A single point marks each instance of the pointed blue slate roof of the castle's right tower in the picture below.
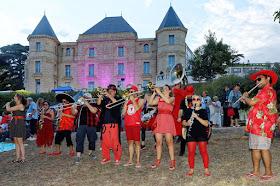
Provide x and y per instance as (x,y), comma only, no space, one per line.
(171,20)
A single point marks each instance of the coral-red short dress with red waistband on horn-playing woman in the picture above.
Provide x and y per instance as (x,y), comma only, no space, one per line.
(165,119)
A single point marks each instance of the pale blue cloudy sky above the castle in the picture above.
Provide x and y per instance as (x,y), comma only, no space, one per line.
(246,25)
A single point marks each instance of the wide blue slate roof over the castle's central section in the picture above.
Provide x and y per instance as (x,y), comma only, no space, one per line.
(111,25)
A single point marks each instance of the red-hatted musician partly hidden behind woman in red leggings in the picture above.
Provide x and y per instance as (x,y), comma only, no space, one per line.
(184,105)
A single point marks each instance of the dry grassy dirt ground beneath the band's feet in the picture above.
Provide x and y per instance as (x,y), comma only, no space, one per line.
(228,151)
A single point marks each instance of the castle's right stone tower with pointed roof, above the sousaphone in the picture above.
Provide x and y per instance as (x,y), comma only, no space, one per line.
(171,45)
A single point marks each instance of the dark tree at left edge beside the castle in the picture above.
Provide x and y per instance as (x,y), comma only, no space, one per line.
(12,58)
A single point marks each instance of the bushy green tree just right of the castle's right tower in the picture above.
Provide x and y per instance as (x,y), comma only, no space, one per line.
(212,58)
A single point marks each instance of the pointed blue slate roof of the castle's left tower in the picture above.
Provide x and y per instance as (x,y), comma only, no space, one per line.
(44,28)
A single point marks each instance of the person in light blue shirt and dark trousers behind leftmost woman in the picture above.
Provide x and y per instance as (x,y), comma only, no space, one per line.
(32,117)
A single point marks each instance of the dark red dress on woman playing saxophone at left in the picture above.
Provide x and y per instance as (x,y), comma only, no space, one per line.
(45,136)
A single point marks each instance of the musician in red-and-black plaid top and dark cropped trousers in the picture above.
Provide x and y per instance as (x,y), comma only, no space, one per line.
(86,124)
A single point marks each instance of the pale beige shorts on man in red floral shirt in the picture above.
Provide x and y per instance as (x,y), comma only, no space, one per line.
(259,142)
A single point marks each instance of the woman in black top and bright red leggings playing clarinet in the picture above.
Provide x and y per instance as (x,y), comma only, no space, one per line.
(197,119)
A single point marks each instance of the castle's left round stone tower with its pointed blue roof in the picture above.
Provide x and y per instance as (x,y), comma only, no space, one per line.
(41,65)
